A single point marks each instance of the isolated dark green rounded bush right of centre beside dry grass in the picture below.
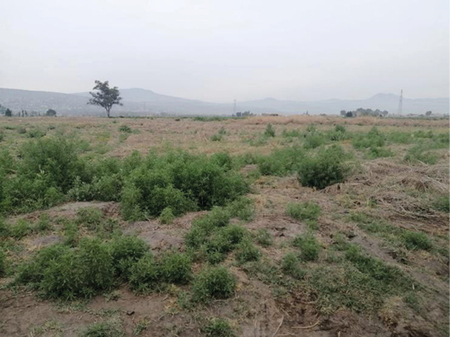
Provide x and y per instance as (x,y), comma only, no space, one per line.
(323,169)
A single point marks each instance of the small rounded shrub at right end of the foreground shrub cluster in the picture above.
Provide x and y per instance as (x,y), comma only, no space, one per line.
(214,282)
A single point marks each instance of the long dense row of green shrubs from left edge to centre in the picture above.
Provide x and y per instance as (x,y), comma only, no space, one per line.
(51,170)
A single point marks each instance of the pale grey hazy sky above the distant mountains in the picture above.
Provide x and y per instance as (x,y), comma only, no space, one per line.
(221,50)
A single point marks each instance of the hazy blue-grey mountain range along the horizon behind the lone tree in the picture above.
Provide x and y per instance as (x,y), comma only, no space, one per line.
(146,102)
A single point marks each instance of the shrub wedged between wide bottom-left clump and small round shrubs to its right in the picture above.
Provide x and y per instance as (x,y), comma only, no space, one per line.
(125,251)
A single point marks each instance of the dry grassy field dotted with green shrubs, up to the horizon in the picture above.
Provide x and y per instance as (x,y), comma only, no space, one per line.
(263,226)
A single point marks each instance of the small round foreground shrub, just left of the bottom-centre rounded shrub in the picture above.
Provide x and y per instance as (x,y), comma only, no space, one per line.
(175,268)
